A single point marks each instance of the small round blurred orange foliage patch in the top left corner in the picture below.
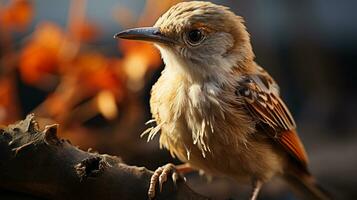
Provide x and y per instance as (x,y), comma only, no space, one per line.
(17,14)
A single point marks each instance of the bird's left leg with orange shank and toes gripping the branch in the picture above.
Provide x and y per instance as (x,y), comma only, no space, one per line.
(160,175)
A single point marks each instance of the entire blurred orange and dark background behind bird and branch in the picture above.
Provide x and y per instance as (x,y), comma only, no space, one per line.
(59,60)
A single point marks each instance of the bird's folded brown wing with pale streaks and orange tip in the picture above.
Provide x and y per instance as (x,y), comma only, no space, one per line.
(262,100)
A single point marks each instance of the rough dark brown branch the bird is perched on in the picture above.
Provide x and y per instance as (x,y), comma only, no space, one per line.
(35,163)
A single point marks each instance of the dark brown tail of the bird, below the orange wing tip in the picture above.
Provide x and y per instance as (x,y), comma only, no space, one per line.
(305,185)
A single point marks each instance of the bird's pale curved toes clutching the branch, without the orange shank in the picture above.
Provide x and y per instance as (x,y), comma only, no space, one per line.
(160,175)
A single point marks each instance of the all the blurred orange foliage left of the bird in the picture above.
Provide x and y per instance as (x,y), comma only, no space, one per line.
(87,82)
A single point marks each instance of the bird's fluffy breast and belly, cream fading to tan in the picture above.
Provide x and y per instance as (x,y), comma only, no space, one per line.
(206,126)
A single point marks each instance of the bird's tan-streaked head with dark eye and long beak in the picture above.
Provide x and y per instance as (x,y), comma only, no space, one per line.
(202,39)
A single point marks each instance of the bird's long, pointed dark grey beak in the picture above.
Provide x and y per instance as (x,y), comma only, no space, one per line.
(151,34)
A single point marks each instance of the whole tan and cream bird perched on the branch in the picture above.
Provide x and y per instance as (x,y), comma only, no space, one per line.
(215,108)
